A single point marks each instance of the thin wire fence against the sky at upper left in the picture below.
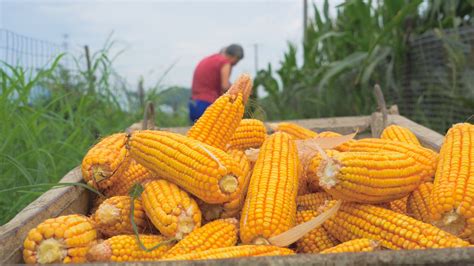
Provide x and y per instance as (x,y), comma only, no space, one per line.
(26,52)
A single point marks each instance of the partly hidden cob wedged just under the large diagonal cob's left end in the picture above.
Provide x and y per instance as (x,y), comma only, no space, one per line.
(134,173)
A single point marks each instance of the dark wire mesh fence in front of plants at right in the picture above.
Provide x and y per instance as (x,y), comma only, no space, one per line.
(438,81)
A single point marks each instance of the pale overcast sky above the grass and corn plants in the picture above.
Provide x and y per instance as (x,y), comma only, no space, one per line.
(157,34)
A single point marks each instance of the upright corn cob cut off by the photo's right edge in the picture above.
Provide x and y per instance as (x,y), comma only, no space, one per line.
(452,197)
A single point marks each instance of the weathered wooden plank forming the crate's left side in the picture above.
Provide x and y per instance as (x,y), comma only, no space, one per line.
(53,203)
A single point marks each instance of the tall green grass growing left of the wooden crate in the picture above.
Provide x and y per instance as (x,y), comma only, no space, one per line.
(44,138)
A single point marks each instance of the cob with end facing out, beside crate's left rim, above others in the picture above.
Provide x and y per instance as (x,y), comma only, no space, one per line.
(104,162)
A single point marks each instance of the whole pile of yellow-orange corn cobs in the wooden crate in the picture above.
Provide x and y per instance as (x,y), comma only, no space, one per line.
(203,198)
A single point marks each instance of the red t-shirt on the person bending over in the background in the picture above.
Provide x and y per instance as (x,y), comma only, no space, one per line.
(207,78)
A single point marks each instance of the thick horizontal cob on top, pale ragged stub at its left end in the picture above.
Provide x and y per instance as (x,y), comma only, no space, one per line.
(369,177)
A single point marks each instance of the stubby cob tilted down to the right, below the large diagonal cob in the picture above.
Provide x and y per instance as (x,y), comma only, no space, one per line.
(173,212)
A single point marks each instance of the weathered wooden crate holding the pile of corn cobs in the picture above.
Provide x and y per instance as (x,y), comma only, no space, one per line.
(69,200)
